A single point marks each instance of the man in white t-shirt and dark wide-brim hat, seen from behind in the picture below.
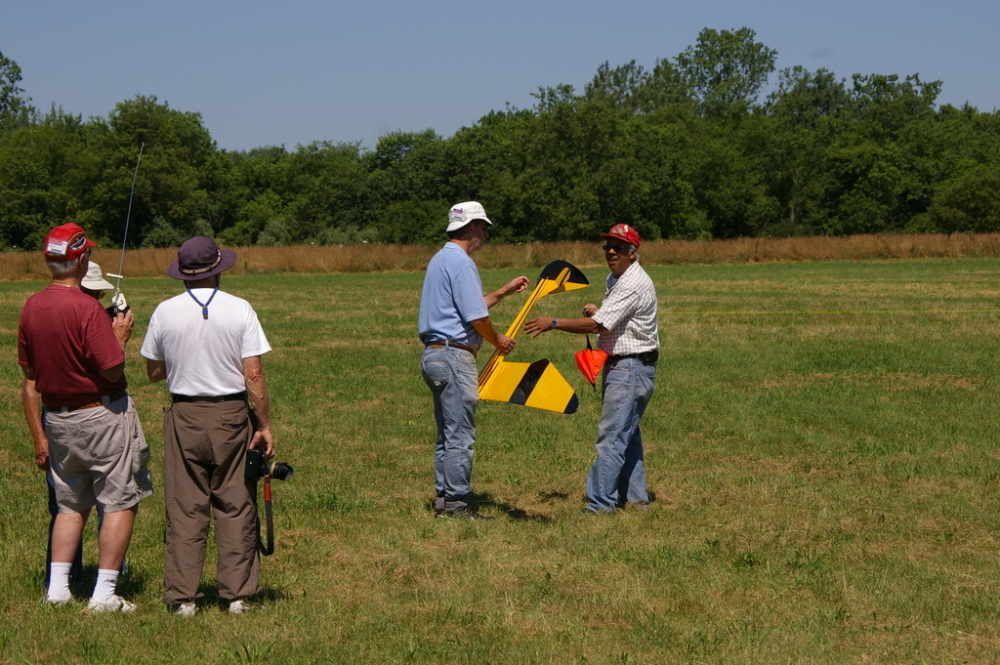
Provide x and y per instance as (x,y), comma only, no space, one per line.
(208,344)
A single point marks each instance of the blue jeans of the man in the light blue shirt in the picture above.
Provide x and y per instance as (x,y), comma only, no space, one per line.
(451,375)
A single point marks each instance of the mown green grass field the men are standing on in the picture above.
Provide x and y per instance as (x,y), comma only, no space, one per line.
(822,447)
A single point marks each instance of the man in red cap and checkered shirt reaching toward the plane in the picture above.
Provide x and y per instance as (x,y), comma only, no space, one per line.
(627,331)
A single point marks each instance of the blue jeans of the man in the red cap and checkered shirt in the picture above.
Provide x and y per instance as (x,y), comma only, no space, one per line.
(618,475)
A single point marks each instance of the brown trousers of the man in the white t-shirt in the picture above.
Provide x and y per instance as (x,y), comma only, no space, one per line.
(204,455)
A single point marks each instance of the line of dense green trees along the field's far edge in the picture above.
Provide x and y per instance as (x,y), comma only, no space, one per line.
(691,148)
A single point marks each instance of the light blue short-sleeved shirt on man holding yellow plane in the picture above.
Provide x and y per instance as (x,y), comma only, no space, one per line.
(452,297)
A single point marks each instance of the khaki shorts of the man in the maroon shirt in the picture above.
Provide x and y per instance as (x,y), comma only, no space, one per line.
(99,457)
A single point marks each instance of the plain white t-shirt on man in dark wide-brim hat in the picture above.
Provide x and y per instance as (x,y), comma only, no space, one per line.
(204,357)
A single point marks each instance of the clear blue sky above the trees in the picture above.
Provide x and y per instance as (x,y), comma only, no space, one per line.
(288,73)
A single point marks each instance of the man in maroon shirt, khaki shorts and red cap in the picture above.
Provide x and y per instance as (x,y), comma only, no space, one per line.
(88,434)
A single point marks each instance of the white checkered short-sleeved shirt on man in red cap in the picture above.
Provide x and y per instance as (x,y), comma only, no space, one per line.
(628,313)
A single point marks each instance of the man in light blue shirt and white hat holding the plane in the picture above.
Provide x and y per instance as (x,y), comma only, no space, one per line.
(454,320)
